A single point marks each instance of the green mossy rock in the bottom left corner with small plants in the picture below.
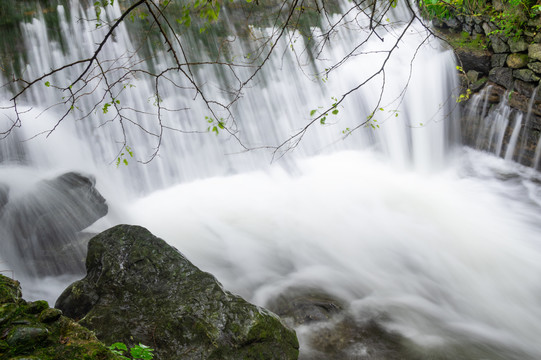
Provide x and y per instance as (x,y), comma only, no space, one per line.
(32,330)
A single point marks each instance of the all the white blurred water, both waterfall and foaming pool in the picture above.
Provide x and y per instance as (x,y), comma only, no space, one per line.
(444,243)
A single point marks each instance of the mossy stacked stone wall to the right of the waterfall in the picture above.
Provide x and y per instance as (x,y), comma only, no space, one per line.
(507,66)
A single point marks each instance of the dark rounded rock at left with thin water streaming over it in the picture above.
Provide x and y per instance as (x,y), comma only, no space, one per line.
(40,228)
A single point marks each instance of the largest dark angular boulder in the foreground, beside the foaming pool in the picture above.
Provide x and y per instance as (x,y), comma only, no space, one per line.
(140,289)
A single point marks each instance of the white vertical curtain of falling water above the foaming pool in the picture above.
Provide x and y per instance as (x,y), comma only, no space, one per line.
(275,107)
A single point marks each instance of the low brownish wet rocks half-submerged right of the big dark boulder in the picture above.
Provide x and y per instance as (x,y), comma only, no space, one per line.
(332,333)
